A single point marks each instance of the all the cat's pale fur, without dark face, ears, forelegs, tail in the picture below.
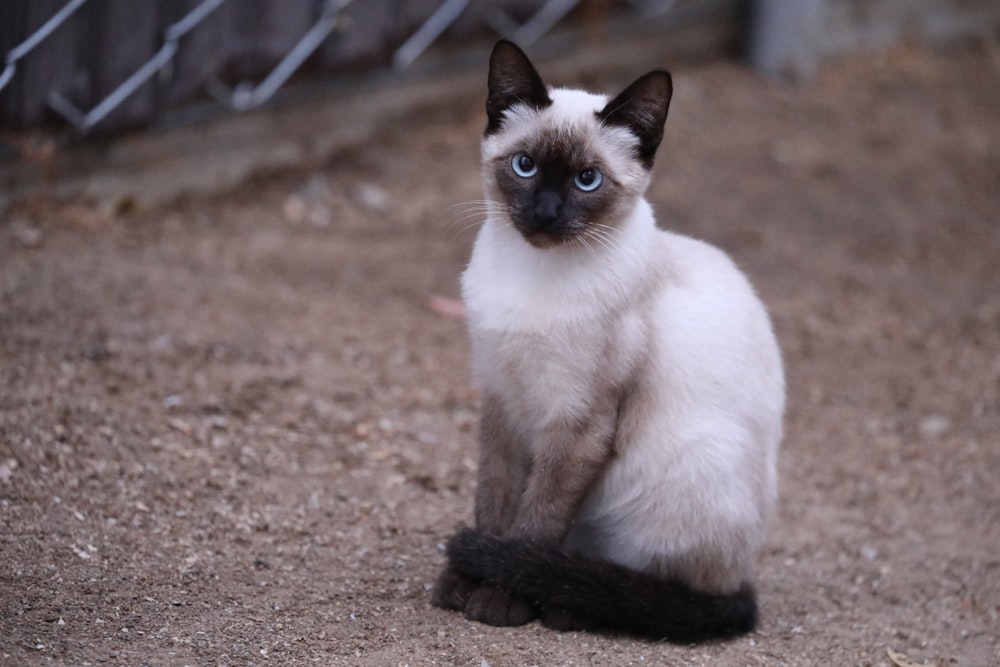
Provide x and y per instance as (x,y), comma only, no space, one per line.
(696,481)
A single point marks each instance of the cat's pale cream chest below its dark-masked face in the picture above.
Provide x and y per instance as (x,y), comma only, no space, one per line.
(551,332)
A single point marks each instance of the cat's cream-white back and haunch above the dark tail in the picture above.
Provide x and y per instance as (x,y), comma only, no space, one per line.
(700,479)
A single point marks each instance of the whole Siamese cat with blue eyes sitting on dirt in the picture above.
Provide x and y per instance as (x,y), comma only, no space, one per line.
(632,388)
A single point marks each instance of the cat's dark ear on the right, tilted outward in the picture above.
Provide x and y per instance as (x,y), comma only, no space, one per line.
(642,108)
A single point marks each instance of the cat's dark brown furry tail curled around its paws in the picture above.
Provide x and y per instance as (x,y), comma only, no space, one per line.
(589,594)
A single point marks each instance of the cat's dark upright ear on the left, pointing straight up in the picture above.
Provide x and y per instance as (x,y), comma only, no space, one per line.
(513,80)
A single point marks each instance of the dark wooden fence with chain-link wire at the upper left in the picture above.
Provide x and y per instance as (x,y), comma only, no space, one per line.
(109,64)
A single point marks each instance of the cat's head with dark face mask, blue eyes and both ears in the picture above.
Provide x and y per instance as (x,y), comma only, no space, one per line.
(564,163)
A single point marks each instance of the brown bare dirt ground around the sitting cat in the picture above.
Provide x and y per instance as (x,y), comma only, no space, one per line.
(235,431)
